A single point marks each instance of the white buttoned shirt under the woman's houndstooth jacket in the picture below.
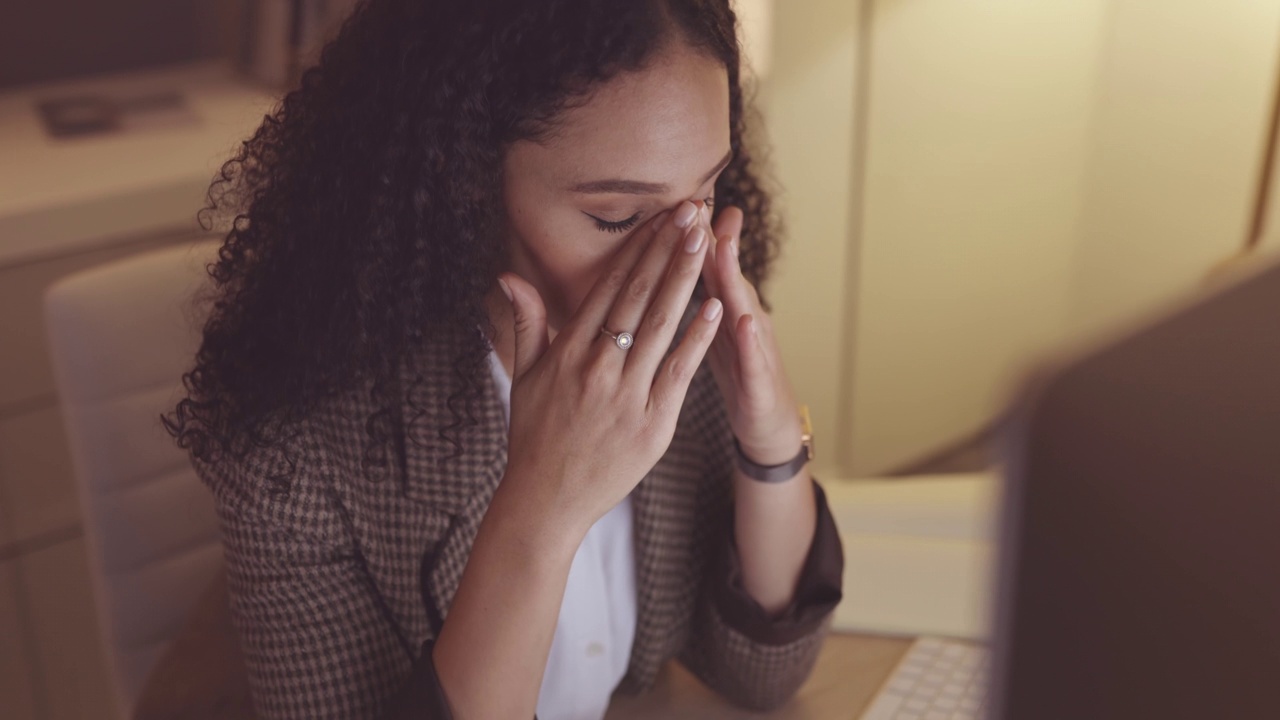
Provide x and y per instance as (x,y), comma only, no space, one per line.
(597,625)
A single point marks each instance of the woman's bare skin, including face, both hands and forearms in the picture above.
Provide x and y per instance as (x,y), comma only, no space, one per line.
(588,420)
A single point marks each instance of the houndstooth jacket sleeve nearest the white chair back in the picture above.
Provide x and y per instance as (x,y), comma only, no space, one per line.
(317,640)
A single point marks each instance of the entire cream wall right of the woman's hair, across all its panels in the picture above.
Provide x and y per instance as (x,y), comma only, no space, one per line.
(1023,174)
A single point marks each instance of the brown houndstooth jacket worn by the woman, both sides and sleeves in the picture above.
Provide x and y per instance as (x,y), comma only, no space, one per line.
(341,582)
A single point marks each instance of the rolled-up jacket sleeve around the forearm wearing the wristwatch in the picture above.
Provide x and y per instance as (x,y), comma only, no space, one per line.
(742,653)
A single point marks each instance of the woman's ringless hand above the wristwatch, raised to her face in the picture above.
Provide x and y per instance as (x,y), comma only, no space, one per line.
(746,359)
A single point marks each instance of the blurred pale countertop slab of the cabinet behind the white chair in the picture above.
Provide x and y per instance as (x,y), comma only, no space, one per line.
(66,197)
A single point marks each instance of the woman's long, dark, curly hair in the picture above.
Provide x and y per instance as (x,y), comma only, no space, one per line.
(363,209)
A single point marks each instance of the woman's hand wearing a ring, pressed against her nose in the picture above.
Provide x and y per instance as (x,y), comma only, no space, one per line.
(589,420)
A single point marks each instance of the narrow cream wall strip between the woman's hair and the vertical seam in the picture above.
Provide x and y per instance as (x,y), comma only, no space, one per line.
(808,102)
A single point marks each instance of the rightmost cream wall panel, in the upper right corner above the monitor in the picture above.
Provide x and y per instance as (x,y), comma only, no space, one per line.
(1182,112)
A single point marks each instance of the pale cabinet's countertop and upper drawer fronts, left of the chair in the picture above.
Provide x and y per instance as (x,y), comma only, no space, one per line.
(72,204)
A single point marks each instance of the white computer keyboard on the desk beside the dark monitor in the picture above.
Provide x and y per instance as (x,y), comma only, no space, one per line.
(938,680)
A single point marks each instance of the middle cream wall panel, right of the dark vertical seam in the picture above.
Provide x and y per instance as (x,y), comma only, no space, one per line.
(979,119)
